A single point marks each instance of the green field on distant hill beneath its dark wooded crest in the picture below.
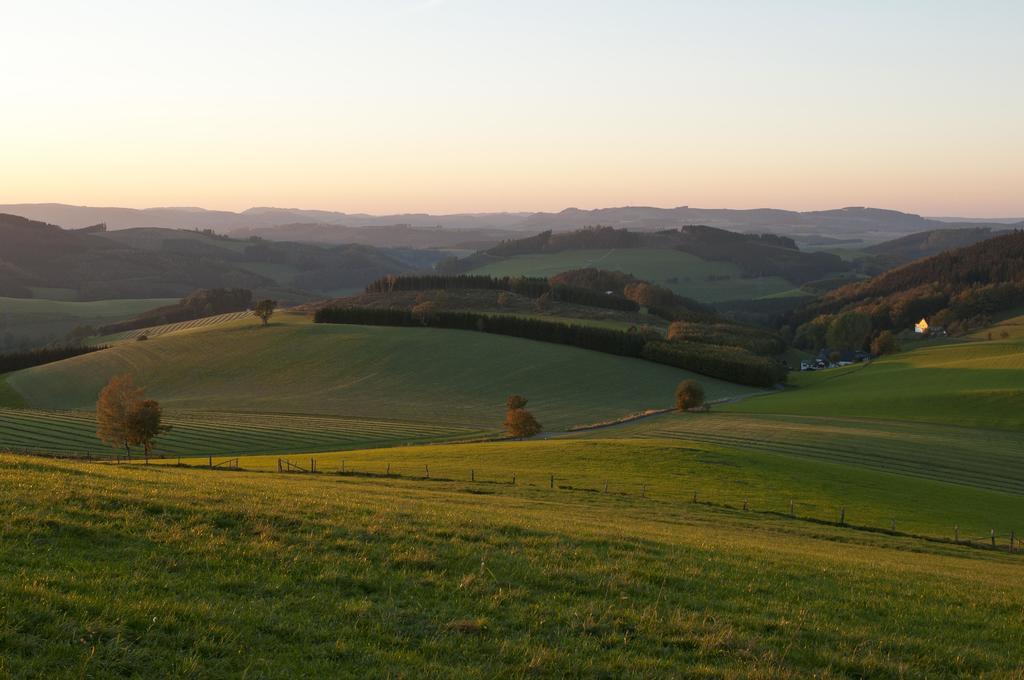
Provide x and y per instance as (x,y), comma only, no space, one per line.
(653,265)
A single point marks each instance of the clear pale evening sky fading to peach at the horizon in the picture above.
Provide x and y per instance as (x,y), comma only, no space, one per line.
(474,106)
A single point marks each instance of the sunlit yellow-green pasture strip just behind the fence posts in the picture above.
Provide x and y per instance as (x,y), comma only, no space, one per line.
(670,470)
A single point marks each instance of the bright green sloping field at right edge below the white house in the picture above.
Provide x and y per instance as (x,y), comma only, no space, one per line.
(974,385)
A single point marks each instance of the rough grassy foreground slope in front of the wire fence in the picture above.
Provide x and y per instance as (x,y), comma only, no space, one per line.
(158,571)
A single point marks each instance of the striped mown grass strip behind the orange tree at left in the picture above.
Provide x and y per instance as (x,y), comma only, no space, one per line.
(219,434)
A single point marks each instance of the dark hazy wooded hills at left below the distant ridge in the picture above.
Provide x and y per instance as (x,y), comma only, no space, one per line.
(96,265)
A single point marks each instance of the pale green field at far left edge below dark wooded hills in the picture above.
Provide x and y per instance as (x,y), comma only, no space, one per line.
(44,321)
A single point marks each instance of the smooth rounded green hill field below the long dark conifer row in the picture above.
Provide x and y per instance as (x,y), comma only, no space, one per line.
(421,375)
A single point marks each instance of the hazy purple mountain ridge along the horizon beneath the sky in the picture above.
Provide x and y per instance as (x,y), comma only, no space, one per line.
(873,224)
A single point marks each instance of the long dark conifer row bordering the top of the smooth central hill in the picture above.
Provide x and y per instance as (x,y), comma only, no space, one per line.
(733,364)
